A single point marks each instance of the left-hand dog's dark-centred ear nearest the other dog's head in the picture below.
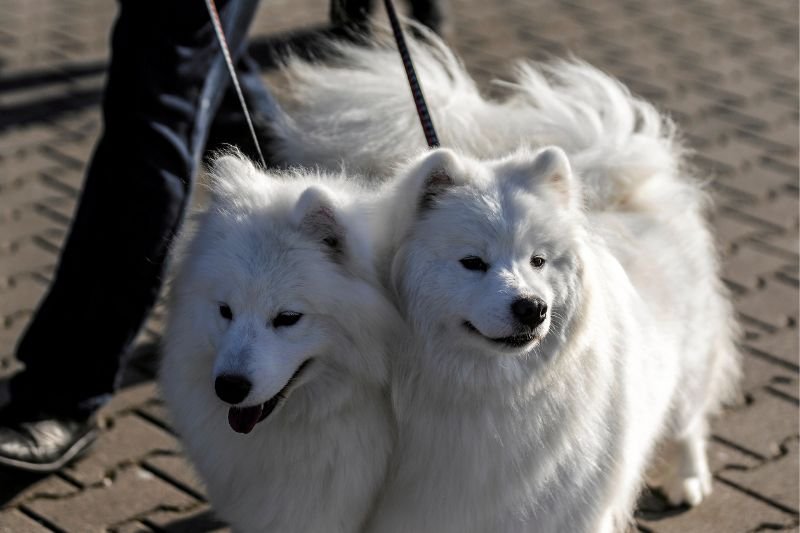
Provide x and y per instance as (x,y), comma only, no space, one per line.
(315,214)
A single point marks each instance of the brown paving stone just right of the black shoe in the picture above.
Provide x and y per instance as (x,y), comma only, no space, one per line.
(127,441)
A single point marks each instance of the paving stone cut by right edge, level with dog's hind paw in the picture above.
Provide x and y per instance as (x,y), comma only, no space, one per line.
(769,480)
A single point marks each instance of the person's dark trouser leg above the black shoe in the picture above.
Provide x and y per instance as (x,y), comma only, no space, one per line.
(165,85)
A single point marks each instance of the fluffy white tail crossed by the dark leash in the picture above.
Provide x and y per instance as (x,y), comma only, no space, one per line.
(357,108)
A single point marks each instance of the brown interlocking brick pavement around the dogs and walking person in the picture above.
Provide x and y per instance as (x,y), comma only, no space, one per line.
(727,71)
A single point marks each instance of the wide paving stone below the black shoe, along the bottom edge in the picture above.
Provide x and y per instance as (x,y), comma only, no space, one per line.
(132,493)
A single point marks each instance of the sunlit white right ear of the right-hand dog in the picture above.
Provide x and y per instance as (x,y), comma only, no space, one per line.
(551,170)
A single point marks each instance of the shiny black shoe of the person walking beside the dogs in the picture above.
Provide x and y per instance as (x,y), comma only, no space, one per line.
(40,442)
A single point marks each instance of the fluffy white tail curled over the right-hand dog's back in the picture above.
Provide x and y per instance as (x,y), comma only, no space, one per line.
(625,151)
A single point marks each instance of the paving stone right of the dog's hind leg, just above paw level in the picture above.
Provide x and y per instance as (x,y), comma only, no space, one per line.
(760,427)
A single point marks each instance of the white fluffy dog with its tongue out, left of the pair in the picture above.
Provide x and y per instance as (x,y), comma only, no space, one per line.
(276,351)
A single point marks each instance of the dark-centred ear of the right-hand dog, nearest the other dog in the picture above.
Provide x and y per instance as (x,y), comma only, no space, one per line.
(436,172)
